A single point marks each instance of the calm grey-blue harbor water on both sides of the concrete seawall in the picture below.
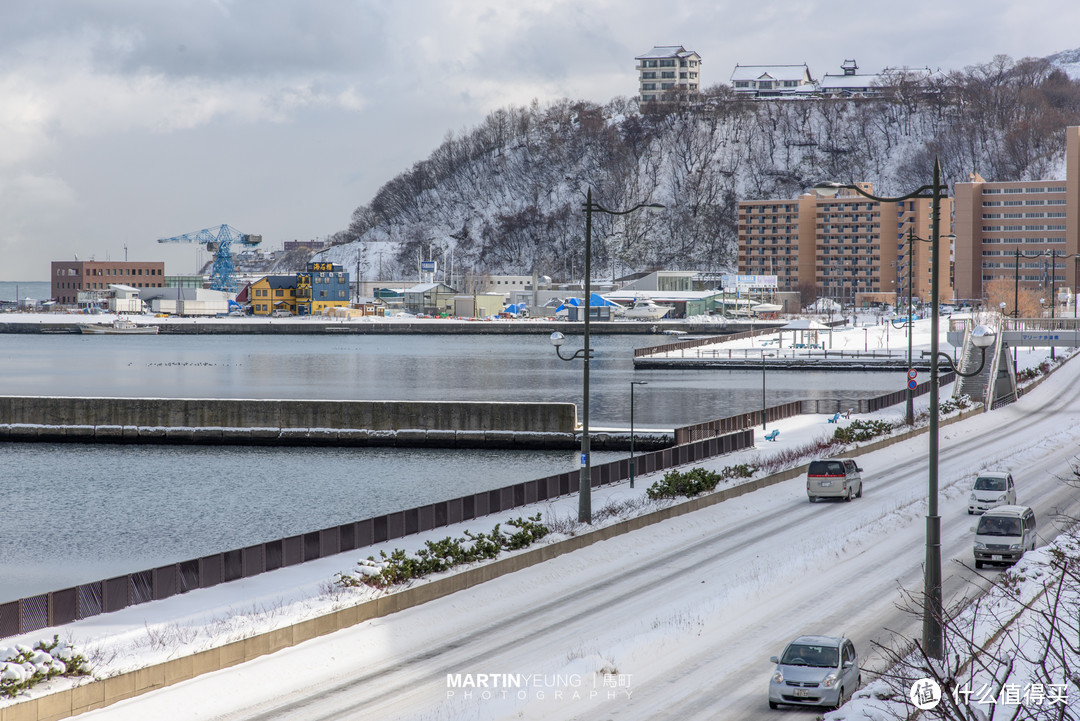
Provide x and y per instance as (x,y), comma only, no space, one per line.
(79,513)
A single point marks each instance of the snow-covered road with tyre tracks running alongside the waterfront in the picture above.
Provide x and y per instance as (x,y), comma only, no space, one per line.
(676,621)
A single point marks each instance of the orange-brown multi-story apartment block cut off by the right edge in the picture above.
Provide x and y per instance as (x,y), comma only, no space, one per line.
(1041,219)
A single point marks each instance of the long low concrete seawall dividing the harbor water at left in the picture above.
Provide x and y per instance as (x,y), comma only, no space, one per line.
(308,423)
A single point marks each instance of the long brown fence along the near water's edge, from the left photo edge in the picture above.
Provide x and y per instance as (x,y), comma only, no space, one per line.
(62,607)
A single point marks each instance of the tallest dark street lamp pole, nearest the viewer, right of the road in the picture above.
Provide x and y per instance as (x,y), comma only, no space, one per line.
(933,634)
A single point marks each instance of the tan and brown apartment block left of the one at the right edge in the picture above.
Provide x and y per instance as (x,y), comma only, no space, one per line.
(848,248)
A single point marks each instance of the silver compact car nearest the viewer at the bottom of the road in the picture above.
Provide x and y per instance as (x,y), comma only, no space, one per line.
(815,671)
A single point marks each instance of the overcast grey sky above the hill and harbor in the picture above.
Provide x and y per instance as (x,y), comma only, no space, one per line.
(124,121)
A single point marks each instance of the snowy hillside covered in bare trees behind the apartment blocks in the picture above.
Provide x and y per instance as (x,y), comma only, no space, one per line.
(507,196)
